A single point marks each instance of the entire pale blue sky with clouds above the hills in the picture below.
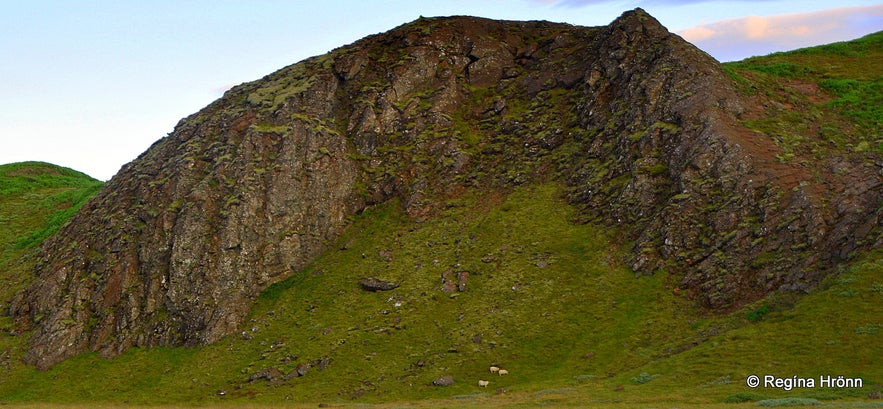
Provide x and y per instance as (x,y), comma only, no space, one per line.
(92,84)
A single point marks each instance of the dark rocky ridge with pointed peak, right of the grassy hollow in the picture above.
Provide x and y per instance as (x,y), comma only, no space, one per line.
(700,194)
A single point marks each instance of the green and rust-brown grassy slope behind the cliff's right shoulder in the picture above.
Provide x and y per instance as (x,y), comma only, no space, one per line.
(845,117)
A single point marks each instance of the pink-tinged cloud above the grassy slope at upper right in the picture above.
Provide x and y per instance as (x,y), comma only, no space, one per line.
(738,38)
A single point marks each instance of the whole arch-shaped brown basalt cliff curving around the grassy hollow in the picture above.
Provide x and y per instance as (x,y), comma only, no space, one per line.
(639,125)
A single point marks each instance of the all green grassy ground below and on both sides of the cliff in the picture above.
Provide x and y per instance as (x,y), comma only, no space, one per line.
(545,298)
